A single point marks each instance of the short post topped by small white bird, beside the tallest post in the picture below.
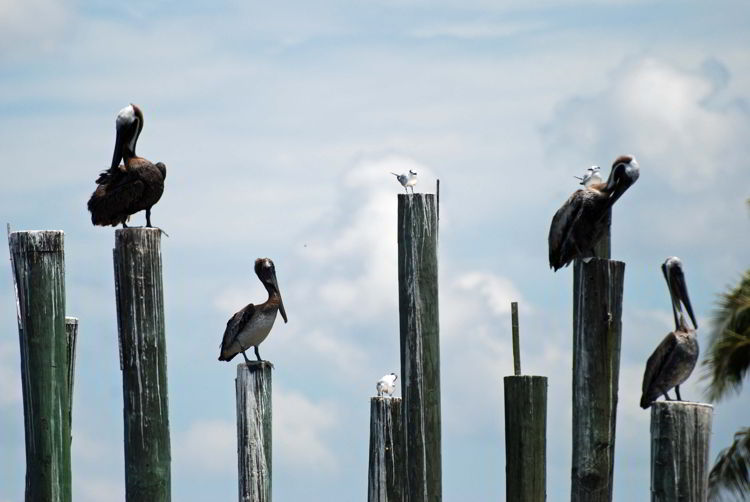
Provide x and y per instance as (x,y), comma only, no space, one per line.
(386,473)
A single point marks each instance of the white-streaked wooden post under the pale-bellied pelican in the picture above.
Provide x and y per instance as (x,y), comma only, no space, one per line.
(253,386)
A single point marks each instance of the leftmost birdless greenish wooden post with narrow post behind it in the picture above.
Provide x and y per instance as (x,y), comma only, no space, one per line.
(38,262)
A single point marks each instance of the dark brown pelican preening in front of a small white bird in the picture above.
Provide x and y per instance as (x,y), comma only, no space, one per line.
(581,221)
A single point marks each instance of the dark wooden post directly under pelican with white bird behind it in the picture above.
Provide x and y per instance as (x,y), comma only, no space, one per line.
(597,328)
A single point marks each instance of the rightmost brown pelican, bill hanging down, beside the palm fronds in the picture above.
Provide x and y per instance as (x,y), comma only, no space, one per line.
(674,359)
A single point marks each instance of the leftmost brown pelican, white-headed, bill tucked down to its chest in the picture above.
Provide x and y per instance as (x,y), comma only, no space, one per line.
(135,185)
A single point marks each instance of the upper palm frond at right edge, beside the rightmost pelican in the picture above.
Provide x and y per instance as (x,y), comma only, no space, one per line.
(728,356)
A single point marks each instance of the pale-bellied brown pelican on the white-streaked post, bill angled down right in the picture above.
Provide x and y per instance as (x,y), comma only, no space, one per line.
(251,325)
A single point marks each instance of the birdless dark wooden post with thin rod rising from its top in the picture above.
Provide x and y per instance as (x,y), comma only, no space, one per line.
(525,430)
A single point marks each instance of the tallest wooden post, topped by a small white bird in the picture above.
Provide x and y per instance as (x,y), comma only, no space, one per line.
(420,345)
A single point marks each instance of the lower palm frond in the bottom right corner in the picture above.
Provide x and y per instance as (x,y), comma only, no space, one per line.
(729,478)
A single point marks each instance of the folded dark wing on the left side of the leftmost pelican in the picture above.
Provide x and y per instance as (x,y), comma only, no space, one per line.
(112,201)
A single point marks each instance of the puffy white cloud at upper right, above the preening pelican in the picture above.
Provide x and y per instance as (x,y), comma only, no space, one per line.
(679,120)
